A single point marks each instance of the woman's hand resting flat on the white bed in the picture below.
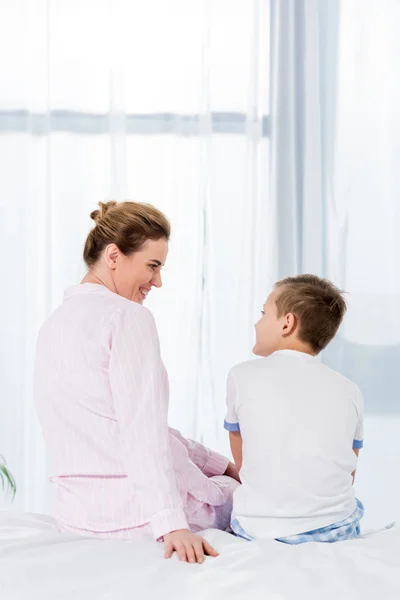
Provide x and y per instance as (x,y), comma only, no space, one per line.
(188,546)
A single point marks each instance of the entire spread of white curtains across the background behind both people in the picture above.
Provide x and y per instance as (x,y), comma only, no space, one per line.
(267,130)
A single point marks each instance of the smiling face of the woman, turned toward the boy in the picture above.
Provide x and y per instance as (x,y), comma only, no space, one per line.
(133,276)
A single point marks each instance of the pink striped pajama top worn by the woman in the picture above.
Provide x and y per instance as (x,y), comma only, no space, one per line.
(101,393)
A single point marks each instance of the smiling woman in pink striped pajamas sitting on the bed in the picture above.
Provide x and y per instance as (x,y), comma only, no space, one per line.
(101,392)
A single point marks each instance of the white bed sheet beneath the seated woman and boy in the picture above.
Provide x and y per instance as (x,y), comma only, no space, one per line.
(37,563)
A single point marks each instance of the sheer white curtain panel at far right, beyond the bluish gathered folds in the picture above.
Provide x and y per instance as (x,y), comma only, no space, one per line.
(364,221)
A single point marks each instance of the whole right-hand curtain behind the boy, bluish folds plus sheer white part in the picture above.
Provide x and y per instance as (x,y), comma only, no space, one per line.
(335,187)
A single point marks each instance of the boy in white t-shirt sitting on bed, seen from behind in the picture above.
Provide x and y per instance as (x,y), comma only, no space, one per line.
(296,426)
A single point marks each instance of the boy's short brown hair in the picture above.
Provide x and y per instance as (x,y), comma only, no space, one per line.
(318,305)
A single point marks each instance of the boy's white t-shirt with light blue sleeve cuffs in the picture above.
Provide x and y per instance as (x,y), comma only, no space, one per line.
(299,421)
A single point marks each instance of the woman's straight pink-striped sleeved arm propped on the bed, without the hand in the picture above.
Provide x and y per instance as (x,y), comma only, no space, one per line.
(141,406)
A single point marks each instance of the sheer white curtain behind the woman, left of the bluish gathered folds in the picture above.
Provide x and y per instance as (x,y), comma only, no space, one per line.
(160,102)
